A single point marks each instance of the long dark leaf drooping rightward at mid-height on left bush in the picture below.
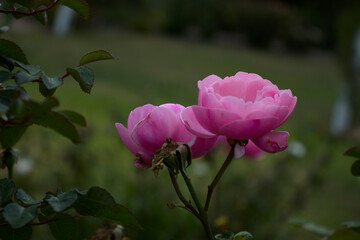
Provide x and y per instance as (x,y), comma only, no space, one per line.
(59,123)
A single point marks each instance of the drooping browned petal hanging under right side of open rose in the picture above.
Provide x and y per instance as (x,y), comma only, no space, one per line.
(275,141)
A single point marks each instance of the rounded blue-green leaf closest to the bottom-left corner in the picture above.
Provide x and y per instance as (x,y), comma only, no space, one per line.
(18,216)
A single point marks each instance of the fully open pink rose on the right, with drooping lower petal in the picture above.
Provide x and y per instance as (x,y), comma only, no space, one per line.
(241,107)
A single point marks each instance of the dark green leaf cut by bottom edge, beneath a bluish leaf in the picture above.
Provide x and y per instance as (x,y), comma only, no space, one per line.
(64,229)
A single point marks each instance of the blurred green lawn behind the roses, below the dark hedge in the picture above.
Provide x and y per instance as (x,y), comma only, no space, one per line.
(158,70)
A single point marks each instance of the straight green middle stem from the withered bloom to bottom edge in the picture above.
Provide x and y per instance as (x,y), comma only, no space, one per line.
(203,215)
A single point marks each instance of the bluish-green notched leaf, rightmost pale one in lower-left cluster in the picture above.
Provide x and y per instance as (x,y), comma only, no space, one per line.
(62,201)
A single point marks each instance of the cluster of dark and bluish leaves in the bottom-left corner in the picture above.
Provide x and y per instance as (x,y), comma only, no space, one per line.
(61,211)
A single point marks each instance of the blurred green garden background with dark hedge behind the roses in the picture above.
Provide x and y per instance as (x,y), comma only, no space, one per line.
(163,49)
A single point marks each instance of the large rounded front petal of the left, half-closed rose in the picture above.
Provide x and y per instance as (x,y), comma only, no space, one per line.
(152,132)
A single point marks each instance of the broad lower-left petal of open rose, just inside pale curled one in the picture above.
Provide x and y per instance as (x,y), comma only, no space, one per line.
(213,119)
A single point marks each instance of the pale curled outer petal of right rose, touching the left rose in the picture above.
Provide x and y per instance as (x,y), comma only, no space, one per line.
(192,124)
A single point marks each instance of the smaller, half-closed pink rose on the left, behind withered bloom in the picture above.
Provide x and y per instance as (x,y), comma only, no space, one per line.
(149,126)
